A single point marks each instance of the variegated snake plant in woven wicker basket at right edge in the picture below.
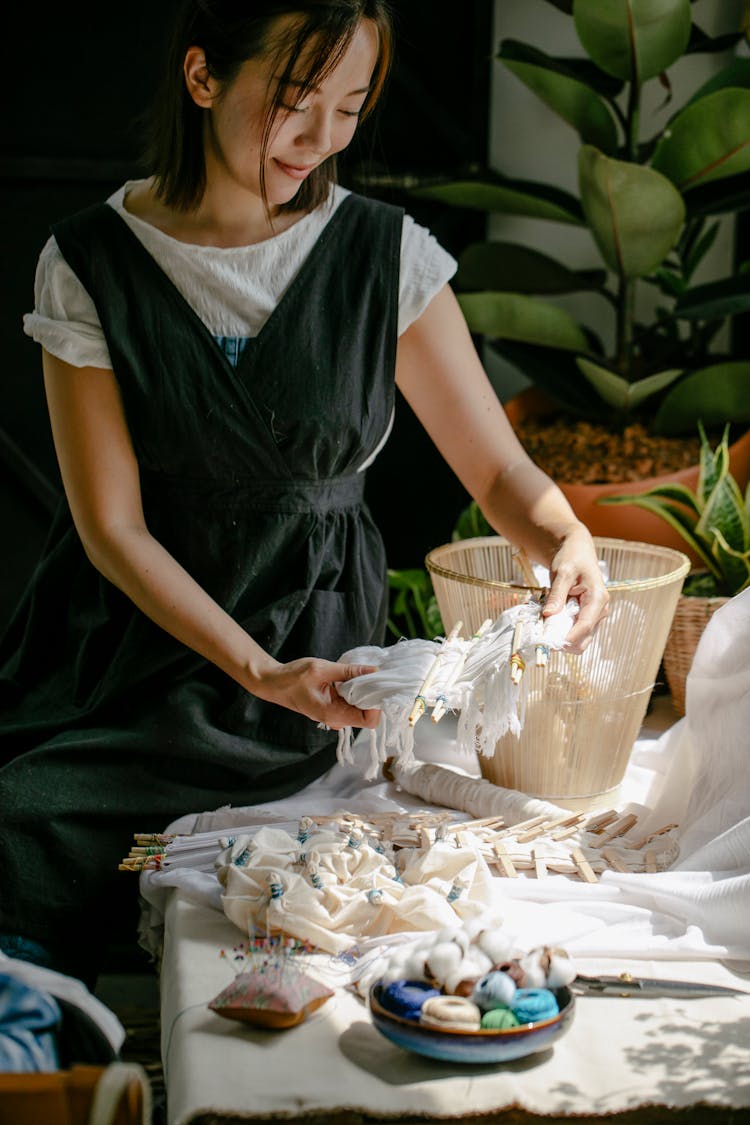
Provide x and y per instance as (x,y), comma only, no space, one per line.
(715,524)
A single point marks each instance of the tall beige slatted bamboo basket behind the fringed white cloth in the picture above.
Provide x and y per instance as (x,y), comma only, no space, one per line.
(582,714)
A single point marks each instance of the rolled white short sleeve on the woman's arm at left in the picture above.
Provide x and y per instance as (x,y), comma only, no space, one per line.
(65,320)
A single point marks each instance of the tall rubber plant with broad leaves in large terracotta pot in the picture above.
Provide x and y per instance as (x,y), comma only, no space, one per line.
(653,204)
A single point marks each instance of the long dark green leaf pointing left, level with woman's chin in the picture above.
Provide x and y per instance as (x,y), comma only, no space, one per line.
(508,197)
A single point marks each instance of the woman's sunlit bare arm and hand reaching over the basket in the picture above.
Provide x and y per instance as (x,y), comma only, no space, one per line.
(441,376)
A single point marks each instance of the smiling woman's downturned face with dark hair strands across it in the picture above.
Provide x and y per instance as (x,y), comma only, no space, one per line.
(303,136)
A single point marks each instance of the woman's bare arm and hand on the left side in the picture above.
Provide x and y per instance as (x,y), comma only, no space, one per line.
(102,481)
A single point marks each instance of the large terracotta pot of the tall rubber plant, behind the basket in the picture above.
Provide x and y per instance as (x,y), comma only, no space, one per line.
(625,523)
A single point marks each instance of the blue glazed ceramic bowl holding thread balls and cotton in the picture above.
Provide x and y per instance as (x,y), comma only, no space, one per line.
(473,1047)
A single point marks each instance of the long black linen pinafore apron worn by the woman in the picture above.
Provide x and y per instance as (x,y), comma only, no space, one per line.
(109,726)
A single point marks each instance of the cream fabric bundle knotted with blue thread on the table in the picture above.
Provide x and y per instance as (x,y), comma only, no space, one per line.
(331,890)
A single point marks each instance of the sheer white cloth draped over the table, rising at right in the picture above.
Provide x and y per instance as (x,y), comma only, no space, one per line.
(694,775)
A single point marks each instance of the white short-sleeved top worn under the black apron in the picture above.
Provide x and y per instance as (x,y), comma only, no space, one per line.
(232,290)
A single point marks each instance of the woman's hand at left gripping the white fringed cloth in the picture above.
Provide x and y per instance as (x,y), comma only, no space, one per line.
(309,687)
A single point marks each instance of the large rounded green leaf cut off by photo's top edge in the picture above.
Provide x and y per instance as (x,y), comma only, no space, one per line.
(634,40)
